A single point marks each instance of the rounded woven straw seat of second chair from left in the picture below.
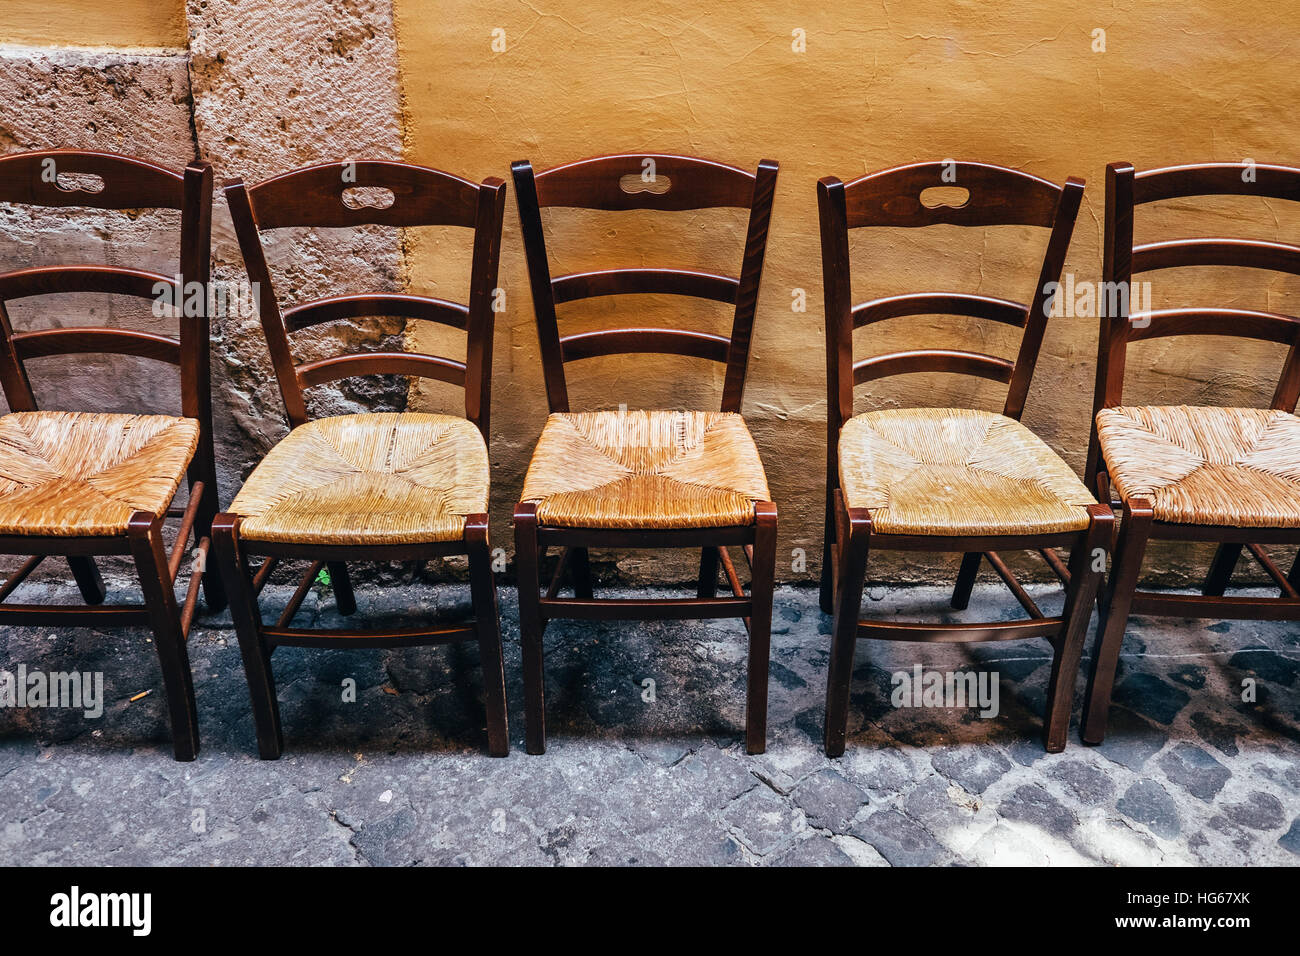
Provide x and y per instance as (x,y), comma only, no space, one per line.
(372,479)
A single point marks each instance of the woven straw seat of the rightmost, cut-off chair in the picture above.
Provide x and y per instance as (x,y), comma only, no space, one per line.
(1234,468)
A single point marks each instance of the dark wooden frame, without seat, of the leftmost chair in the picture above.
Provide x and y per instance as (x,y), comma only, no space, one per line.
(128,184)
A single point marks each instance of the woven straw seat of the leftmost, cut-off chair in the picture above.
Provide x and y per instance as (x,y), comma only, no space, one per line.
(85,474)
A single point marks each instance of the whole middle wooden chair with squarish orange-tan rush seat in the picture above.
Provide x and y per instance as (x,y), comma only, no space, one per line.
(645,479)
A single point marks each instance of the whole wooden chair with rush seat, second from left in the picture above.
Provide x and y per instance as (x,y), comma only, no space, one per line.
(370,487)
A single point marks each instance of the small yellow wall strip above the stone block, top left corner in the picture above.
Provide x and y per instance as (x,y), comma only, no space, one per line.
(94,23)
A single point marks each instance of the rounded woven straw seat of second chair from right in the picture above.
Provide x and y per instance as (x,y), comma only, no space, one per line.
(957,471)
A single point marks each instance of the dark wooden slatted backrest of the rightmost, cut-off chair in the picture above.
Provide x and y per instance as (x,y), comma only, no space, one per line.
(1126,189)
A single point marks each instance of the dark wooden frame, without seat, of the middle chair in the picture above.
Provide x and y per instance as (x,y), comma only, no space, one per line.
(596,184)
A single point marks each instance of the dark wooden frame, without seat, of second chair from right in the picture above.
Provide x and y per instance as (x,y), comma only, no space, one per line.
(892,198)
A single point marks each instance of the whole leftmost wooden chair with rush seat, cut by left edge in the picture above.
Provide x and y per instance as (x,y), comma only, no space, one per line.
(84,485)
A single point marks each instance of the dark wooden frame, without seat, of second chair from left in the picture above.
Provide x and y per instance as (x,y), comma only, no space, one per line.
(313,197)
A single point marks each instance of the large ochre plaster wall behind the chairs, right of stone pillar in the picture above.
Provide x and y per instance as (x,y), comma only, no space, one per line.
(1017,84)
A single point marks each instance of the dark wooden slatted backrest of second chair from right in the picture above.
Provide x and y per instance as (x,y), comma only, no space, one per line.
(892,198)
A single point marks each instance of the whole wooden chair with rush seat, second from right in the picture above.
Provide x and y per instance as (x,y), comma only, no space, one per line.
(948,479)
